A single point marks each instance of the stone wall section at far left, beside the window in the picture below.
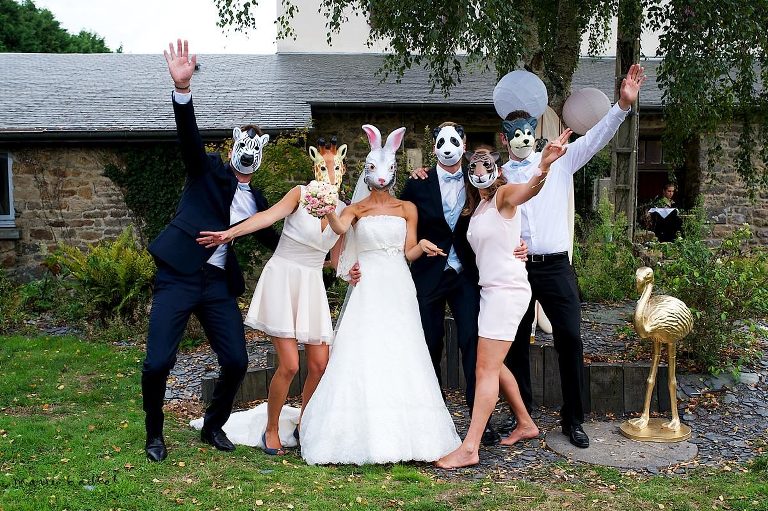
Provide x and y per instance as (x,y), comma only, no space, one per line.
(60,196)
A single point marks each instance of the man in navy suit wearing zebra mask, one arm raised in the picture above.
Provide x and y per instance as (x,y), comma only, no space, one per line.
(192,279)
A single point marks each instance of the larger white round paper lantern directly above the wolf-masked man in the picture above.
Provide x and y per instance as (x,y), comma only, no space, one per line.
(520,90)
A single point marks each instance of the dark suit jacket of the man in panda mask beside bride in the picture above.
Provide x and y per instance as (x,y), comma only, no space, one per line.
(427,271)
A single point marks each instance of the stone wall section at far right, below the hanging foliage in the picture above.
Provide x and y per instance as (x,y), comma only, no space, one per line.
(724,194)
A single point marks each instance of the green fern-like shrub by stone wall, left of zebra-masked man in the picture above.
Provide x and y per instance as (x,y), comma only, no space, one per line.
(111,279)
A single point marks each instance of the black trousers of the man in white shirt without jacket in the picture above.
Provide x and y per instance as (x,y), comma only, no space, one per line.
(553,284)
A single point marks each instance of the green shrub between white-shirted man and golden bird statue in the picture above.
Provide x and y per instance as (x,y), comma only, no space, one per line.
(603,259)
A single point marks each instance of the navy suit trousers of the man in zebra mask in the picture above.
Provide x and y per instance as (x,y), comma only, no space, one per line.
(206,295)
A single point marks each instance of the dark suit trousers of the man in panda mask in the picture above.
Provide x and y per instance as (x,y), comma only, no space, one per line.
(463,297)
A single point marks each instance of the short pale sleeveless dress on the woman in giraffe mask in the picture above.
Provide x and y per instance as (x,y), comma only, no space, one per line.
(290,299)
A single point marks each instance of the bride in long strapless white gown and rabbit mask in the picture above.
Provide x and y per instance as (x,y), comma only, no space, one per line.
(379,400)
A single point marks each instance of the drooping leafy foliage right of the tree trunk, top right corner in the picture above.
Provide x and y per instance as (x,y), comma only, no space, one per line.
(715,60)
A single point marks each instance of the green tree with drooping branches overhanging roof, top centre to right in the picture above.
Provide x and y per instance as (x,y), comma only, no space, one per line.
(715,52)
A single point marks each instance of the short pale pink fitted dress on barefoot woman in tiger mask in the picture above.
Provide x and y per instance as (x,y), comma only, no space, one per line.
(505,292)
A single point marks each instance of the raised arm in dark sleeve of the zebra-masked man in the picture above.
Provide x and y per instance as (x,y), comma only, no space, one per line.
(181,66)
